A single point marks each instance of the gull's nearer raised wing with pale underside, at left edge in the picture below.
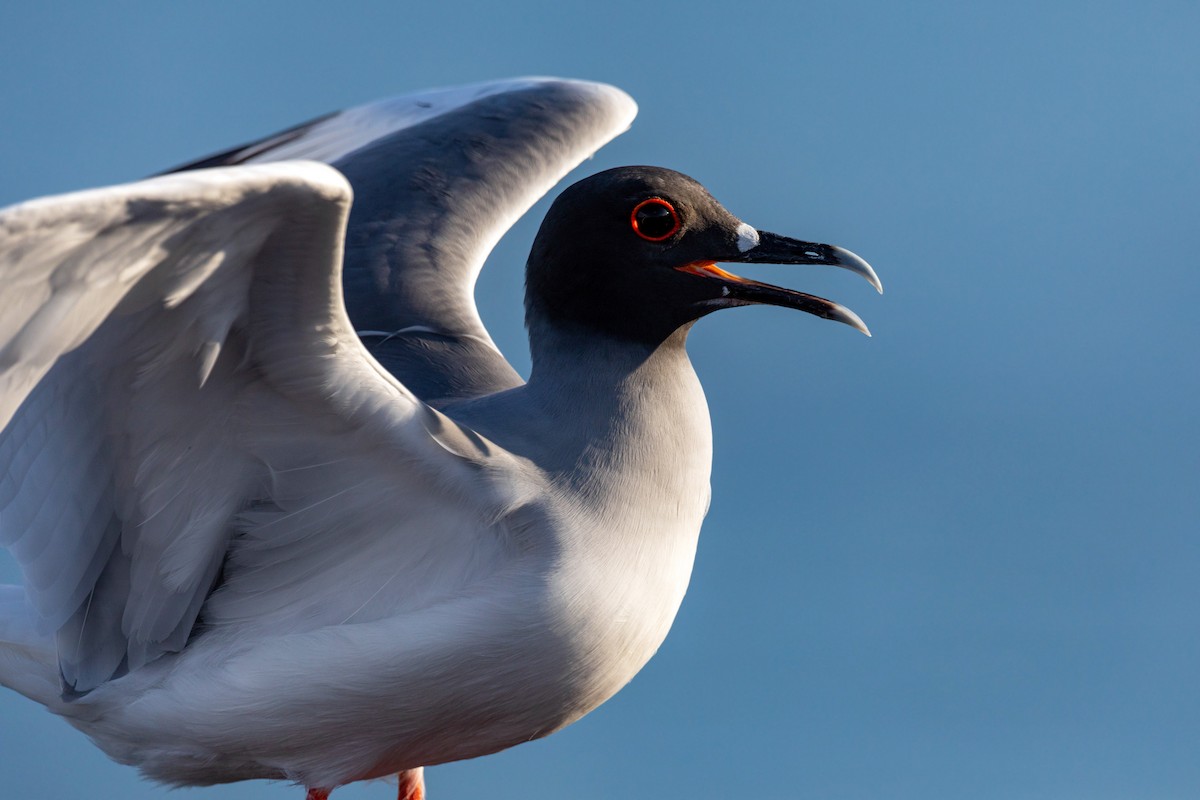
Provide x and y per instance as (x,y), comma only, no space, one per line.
(184,402)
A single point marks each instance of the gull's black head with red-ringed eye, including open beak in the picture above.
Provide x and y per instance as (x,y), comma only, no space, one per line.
(633,252)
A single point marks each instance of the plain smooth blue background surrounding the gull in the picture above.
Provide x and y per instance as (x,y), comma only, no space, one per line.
(957,561)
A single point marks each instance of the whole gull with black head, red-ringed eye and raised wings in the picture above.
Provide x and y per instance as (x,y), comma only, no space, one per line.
(281,507)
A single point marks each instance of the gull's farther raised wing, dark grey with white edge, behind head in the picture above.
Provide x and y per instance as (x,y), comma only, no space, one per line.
(439,177)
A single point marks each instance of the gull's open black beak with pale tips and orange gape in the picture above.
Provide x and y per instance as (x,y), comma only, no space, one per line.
(763,248)
